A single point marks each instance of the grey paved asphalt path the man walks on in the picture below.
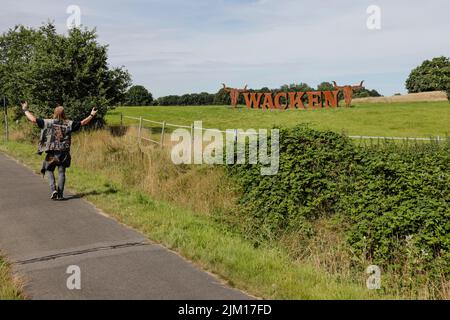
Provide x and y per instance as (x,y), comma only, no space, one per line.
(43,238)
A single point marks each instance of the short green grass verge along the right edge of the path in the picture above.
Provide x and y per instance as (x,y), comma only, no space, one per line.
(264,272)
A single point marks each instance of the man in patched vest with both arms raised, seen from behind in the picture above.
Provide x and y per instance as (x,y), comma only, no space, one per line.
(55,141)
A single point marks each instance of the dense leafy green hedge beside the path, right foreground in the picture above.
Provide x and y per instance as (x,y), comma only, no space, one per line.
(392,199)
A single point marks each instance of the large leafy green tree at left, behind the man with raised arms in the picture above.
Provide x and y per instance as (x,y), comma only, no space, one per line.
(47,68)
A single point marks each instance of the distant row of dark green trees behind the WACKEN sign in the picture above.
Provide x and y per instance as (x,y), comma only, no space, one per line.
(139,96)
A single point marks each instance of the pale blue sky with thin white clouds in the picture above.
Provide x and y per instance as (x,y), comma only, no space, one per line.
(187,46)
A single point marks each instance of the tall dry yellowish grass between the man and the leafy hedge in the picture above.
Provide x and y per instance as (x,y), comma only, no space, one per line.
(147,167)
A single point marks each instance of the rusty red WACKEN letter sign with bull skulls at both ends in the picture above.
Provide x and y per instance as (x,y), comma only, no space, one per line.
(293,100)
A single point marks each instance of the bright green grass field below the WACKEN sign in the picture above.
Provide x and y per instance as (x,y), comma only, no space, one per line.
(415,119)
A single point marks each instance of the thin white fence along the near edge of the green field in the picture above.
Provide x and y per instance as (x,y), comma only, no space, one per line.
(237,132)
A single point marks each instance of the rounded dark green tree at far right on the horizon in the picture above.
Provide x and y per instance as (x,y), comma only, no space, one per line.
(430,76)
